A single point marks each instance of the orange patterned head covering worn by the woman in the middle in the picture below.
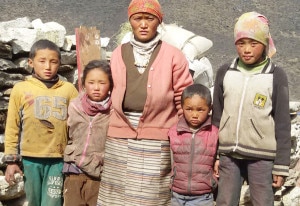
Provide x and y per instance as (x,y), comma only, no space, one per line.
(148,6)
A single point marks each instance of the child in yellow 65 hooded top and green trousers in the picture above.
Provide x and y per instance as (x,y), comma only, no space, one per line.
(36,130)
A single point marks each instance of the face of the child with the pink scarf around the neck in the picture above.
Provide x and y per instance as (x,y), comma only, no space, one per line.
(97,85)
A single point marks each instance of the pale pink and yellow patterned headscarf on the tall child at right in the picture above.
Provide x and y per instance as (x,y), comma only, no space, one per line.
(255,26)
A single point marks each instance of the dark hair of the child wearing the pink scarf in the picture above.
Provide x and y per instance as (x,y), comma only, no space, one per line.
(99,64)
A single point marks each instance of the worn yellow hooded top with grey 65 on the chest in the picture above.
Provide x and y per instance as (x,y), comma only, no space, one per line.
(36,123)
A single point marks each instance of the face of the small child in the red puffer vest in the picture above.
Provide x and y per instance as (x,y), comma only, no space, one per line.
(195,111)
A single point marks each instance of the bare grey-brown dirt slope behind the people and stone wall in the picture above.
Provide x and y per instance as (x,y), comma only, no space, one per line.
(213,19)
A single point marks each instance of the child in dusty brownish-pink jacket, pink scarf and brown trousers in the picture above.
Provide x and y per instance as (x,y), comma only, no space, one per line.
(87,122)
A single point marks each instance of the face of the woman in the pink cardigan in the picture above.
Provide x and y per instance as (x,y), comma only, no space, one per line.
(144,26)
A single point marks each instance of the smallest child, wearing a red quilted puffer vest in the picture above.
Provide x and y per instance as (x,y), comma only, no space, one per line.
(193,142)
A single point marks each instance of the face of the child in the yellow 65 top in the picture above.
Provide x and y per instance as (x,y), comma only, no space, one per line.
(45,63)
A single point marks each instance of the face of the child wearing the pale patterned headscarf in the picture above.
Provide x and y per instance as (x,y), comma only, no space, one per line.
(250,51)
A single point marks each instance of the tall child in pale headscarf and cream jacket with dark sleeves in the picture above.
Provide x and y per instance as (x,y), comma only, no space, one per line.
(251,108)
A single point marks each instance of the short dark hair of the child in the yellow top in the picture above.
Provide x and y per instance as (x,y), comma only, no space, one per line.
(44,44)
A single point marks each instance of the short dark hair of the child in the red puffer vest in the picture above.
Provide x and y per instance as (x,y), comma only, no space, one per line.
(196,89)
